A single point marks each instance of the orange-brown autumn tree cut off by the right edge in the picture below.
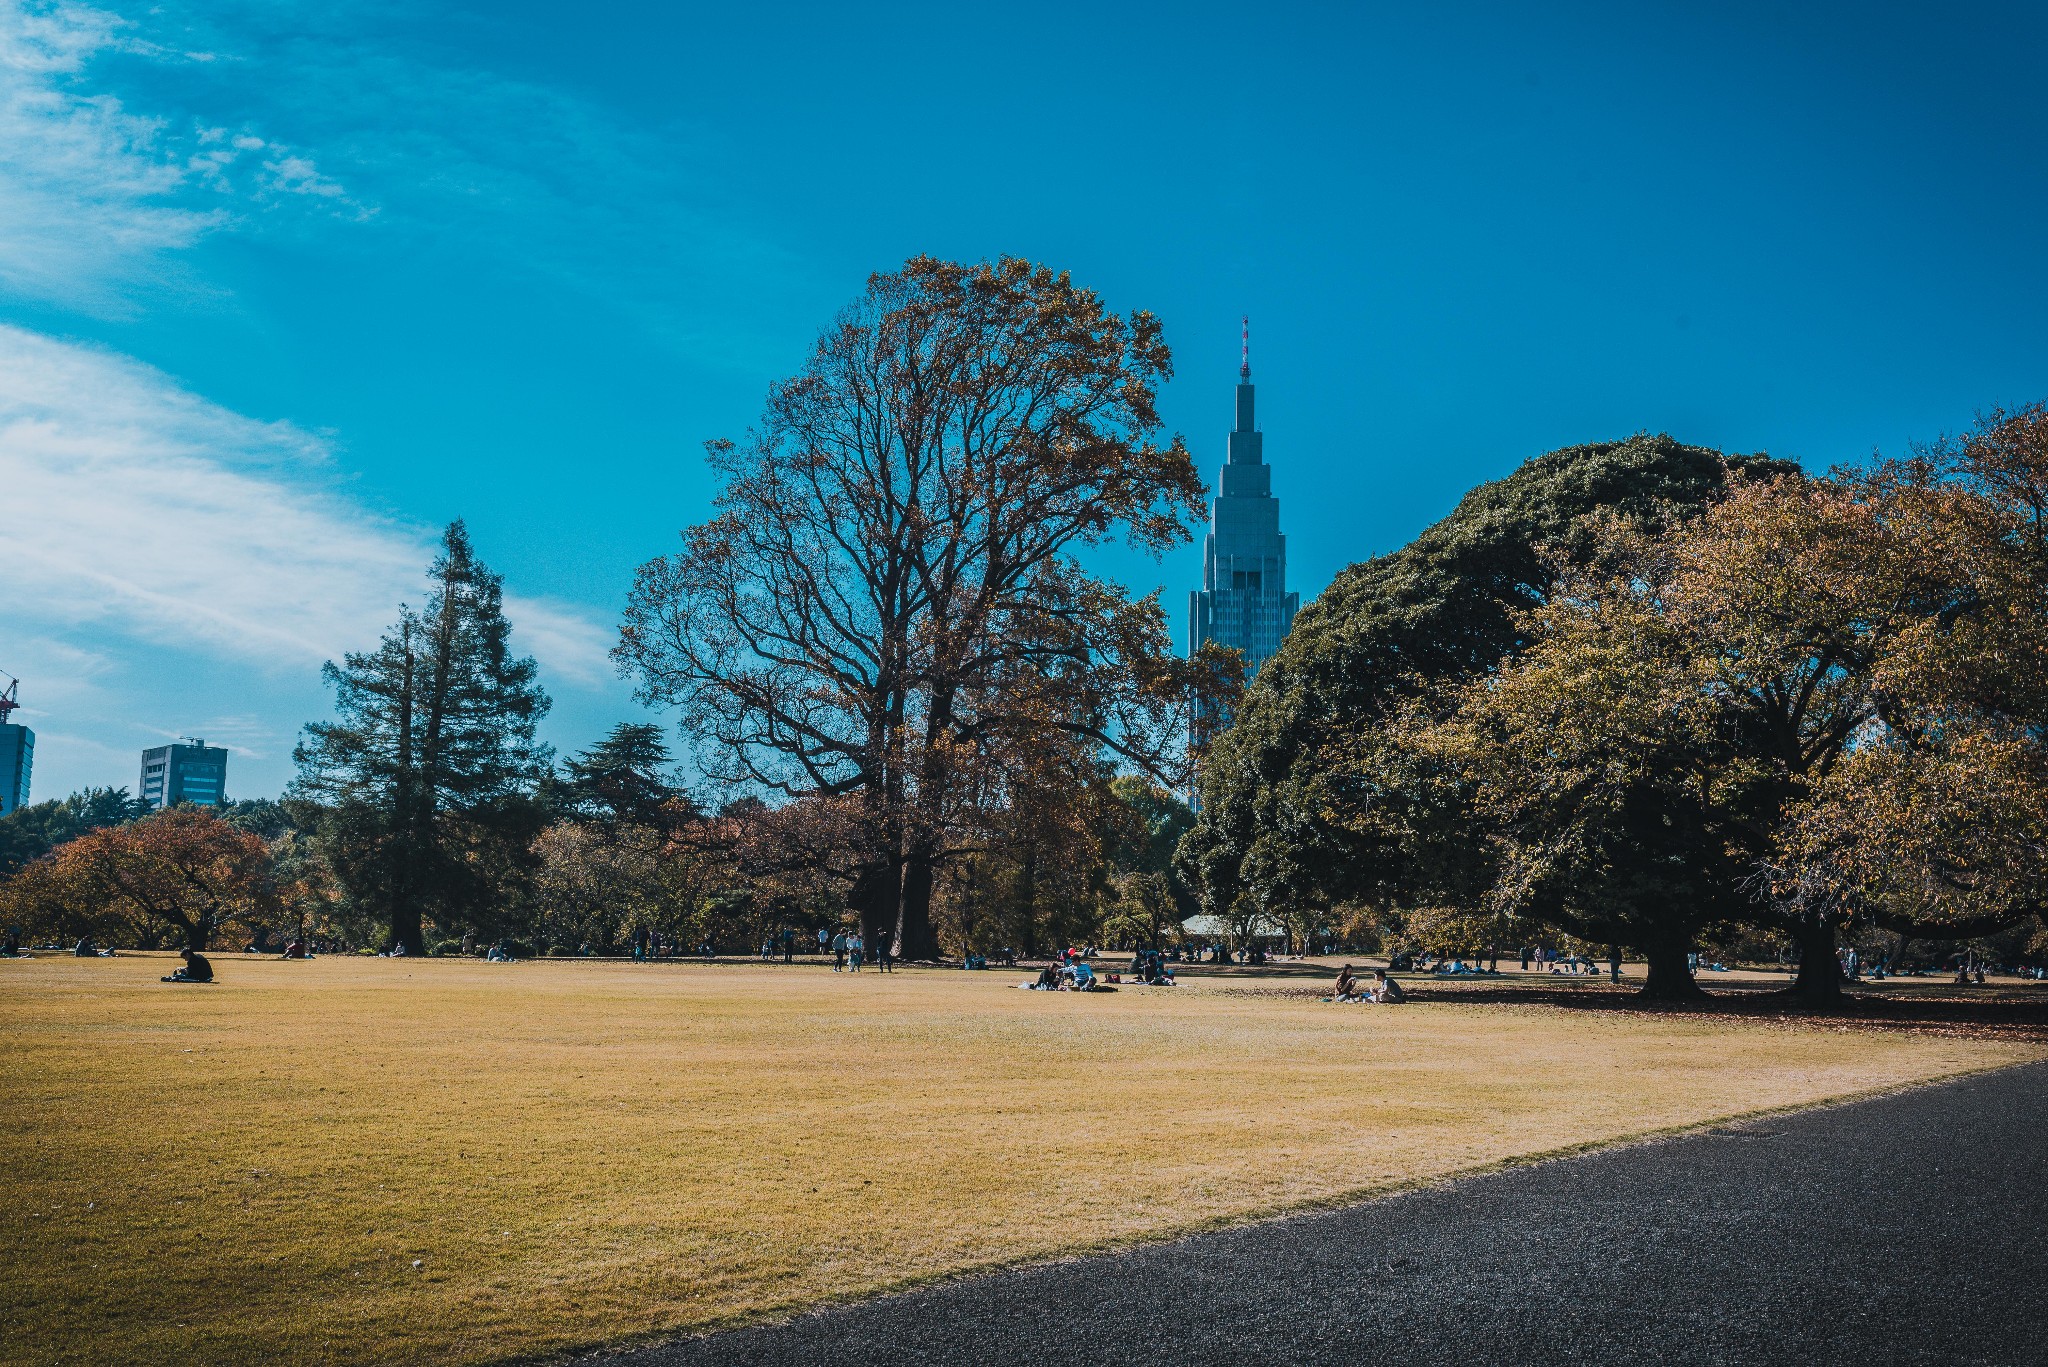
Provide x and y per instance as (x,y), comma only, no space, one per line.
(1936,821)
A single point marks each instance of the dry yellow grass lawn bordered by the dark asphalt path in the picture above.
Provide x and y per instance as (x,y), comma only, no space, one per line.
(579,1153)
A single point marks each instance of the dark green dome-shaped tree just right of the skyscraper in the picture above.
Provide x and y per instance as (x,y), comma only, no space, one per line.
(1308,798)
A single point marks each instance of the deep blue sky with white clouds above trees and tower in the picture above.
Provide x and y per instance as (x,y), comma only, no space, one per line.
(284,288)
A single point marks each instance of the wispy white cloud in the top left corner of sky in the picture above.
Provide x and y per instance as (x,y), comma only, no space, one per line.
(95,194)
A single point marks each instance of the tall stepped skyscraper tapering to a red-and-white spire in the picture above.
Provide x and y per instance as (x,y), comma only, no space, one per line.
(1244,597)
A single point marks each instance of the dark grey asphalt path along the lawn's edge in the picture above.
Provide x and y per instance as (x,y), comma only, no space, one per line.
(1910,1229)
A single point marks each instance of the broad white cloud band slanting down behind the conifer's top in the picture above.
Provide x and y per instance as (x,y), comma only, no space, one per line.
(148,513)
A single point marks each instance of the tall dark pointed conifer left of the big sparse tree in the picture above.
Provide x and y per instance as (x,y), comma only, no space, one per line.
(431,761)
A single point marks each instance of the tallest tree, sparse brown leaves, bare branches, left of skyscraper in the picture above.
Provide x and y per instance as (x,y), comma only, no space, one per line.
(890,597)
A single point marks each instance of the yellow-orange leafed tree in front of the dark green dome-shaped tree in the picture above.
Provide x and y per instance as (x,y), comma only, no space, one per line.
(1684,688)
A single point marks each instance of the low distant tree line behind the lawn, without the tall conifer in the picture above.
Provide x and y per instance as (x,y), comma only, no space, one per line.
(620,858)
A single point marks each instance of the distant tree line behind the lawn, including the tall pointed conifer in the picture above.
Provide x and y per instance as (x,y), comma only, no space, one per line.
(427,819)
